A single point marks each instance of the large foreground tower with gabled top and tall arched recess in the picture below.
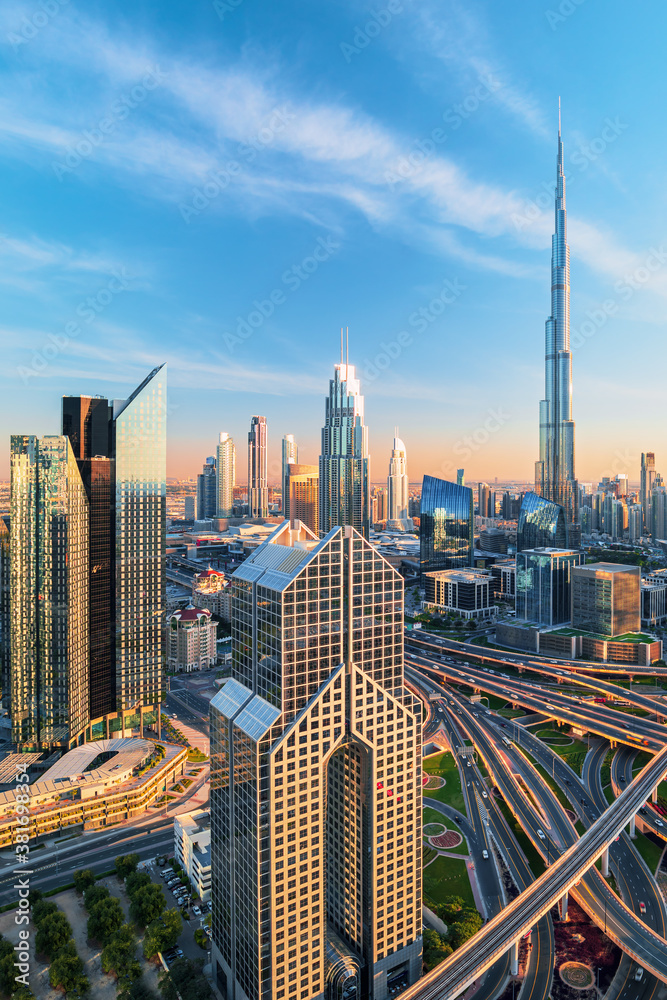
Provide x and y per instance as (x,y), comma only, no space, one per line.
(315,777)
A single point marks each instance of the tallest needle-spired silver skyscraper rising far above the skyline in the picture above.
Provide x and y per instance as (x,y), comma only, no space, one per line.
(554,471)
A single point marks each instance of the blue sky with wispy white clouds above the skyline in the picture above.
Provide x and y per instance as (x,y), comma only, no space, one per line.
(176,175)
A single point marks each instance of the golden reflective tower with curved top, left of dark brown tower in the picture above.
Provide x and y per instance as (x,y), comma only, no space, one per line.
(49,593)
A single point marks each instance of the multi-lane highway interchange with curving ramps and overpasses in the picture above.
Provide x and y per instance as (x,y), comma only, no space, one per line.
(635,919)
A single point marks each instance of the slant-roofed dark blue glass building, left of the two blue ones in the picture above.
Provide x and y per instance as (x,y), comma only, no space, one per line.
(446,536)
